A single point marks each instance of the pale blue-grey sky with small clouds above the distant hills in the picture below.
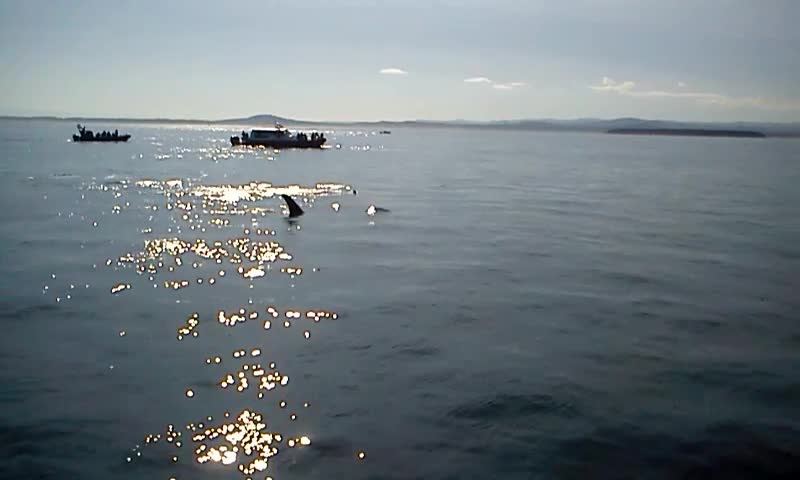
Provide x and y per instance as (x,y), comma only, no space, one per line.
(700,60)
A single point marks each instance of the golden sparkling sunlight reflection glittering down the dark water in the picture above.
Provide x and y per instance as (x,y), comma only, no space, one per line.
(188,257)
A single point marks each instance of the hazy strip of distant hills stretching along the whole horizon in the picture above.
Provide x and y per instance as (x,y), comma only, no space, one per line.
(770,129)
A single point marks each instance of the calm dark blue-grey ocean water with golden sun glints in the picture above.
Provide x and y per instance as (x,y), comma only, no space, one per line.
(533,306)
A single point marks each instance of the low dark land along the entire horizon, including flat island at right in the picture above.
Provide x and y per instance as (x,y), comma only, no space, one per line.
(625,125)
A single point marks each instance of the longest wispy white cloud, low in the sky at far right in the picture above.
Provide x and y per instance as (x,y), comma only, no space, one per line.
(628,88)
